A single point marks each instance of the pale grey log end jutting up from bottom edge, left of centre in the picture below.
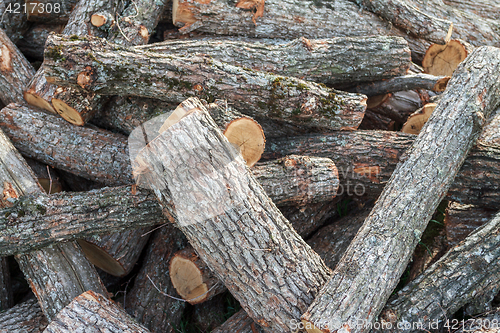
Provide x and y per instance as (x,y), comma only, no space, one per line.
(93,311)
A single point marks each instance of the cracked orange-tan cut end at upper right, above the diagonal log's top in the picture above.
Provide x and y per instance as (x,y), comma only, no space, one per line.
(444,59)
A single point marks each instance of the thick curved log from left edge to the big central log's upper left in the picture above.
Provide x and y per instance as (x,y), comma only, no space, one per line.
(88,152)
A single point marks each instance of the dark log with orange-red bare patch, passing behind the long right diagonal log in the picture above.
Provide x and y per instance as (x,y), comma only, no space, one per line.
(366,160)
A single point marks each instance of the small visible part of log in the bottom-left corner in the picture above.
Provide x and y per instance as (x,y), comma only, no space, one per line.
(24,317)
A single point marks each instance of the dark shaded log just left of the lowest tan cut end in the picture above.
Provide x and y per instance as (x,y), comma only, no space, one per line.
(147,300)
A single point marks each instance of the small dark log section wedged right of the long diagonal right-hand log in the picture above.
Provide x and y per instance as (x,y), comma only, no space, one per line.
(461,220)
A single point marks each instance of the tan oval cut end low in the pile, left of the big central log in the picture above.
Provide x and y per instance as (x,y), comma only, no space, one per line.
(187,280)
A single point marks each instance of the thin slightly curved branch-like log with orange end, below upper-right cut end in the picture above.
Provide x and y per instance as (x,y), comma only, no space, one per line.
(403,83)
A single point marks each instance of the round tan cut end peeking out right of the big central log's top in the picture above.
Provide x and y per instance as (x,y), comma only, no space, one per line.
(247,136)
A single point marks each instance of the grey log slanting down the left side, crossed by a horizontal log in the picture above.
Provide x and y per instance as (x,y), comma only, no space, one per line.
(58,273)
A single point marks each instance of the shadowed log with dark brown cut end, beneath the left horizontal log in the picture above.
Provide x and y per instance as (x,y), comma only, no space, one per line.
(116,253)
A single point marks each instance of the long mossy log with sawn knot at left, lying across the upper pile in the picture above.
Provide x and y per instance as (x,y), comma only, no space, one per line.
(95,63)
